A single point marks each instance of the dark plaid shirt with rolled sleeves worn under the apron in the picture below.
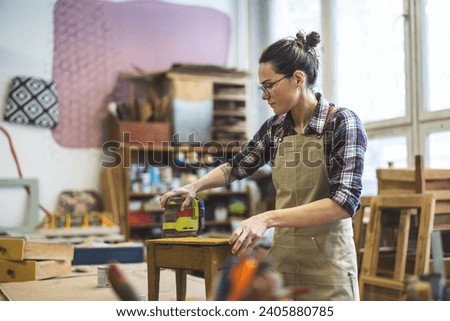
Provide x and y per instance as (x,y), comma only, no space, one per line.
(344,140)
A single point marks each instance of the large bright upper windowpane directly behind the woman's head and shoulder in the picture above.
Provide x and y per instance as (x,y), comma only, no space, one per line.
(369,61)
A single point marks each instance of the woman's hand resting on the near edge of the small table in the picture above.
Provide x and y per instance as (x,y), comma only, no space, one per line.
(247,235)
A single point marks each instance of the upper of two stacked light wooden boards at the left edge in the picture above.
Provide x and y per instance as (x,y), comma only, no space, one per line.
(18,249)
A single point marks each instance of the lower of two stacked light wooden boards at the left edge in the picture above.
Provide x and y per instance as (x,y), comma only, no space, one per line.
(30,270)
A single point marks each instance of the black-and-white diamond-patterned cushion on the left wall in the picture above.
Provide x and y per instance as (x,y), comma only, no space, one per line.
(32,101)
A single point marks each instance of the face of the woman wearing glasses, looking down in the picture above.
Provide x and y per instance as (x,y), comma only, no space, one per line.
(278,90)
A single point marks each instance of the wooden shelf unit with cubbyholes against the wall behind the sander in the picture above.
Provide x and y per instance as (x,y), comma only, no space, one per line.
(225,93)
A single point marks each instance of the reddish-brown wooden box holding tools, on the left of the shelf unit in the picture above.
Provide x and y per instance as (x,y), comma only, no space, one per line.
(142,134)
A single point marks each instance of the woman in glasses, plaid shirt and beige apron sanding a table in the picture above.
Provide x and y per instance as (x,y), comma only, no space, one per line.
(317,155)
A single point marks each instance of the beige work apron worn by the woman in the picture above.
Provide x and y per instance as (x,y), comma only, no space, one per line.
(321,257)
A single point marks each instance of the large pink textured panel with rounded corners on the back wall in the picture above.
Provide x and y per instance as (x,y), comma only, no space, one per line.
(95,40)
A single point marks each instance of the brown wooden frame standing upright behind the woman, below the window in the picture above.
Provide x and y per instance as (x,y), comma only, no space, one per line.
(407,206)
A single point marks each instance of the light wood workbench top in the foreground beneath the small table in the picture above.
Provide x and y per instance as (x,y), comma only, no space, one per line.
(82,286)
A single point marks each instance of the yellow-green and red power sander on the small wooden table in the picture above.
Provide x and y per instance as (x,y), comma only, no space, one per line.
(189,222)
